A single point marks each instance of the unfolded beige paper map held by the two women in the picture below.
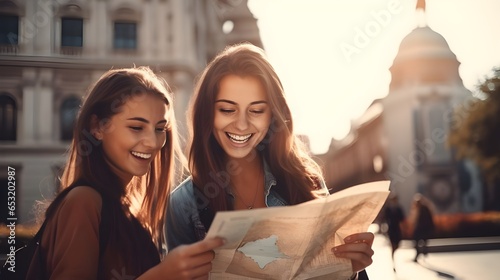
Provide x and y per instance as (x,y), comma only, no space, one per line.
(294,242)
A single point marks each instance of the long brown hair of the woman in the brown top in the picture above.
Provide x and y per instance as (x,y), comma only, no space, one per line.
(86,157)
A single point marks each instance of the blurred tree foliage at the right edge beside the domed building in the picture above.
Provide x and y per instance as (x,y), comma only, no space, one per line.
(475,131)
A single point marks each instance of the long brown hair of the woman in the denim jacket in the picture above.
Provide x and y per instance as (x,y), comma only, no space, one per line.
(296,173)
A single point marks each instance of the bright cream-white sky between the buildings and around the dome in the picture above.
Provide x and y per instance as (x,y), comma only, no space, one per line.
(333,56)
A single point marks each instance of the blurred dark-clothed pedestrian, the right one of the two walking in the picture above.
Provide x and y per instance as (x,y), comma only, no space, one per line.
(424,226)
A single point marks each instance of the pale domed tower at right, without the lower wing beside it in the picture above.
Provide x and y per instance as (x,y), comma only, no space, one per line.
(424,90)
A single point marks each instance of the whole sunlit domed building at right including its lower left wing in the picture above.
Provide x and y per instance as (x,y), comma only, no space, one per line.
(402,137)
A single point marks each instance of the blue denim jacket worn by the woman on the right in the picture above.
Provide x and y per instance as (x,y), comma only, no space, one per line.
(183,223)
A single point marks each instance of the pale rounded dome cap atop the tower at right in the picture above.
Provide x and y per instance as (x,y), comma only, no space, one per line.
(424,43)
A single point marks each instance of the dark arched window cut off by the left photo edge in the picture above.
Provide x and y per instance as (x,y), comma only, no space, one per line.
(8,118)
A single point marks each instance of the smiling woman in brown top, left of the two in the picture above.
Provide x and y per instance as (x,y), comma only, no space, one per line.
(122,160)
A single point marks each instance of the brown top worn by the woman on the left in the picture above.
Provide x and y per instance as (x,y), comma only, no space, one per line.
(70,242)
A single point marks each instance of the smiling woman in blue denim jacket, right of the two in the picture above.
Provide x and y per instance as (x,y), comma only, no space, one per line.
(243,153)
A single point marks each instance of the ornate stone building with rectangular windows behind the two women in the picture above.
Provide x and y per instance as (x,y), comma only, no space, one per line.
(52,50)
